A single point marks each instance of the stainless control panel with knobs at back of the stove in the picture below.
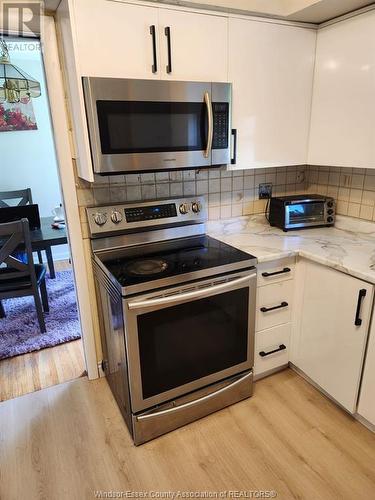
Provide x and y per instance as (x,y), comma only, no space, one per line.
(145,215)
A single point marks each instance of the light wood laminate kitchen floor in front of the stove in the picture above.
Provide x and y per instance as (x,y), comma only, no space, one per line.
(67,441)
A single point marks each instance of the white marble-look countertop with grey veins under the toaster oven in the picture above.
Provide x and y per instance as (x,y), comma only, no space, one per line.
(348,247)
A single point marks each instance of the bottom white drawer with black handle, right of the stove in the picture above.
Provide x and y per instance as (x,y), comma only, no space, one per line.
(271,340)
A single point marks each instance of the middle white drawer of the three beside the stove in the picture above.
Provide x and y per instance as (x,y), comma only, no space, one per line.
(276,302)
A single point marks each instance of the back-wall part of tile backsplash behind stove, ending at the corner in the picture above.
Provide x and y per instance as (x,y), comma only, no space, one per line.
(228,193)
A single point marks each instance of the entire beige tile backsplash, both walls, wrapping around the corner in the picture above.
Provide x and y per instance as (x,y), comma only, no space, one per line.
(235,193)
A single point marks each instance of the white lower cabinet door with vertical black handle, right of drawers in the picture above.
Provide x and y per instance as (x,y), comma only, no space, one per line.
(331,347)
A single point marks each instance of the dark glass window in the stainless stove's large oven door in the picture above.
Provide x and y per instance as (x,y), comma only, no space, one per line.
(183,343)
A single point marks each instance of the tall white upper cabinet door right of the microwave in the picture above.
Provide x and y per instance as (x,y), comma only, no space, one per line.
(271,68)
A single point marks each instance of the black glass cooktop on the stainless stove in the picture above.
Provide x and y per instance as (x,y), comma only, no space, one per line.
(148,263)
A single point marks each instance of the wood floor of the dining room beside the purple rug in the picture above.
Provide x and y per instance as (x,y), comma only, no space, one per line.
(36,370)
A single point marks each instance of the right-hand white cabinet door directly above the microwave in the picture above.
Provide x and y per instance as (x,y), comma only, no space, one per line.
(198,46)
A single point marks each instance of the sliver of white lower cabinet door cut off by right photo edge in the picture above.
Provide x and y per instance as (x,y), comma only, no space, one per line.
(366,405)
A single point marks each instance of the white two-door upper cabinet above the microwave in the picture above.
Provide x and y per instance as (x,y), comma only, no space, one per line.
(132,40)
